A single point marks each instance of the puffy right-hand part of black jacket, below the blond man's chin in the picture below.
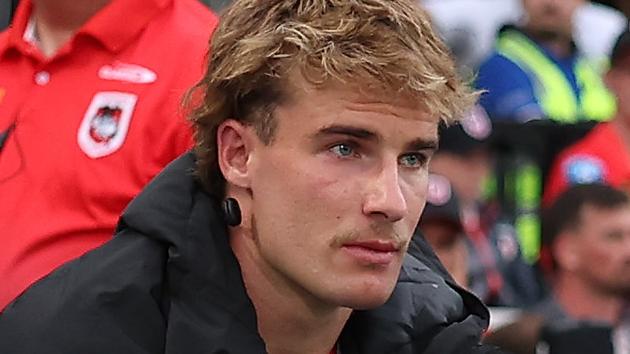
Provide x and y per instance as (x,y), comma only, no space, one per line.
(426,314)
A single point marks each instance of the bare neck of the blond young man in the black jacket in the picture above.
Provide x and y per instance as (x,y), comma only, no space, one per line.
(290,320)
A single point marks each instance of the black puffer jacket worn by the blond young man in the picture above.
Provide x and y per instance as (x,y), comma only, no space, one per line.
(169,283)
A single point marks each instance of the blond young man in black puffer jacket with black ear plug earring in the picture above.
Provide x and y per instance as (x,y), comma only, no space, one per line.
(315,124)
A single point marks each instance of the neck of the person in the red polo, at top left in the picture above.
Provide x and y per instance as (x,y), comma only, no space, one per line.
(58,20)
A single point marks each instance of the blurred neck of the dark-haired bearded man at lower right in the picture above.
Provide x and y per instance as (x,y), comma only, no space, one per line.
(581,301)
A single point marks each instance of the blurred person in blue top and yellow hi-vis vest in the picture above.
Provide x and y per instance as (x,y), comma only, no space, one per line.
(538,73)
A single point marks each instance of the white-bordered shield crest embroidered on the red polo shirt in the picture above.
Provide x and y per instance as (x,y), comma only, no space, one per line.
(105,124)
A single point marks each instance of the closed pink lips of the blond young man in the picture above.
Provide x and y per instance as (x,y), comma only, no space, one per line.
(376,252)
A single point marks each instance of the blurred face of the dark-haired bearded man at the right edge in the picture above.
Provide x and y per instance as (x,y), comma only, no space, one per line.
(603,248)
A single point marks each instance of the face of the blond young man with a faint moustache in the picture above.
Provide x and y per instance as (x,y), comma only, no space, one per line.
(337,194)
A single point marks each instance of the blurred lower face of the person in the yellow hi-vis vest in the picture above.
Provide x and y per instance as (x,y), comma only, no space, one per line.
(551,18)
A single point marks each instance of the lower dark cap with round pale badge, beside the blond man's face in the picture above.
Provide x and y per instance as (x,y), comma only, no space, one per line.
(442,203)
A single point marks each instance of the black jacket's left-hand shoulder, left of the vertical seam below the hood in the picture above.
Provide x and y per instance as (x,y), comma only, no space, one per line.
(110,299)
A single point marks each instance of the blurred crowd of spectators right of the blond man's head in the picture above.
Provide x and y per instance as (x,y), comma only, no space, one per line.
(528,205)
